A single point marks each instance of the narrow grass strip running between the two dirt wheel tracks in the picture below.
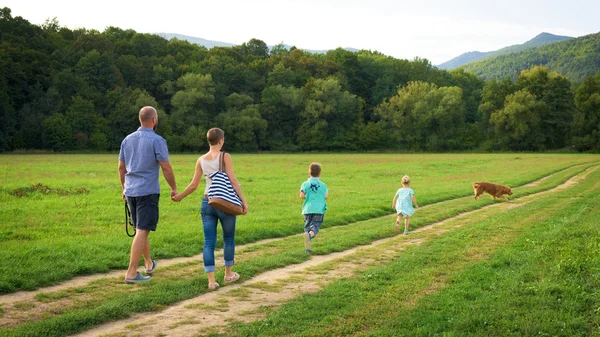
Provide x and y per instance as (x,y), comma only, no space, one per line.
(104,301)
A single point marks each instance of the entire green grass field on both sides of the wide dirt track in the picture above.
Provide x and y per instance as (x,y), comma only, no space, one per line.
(76,227)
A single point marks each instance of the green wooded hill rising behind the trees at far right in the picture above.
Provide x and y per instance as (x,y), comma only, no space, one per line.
(575,59)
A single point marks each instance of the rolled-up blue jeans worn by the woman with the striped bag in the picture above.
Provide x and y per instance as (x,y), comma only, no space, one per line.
(210,216)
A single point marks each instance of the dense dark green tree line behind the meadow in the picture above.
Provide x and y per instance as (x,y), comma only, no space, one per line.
(64,89)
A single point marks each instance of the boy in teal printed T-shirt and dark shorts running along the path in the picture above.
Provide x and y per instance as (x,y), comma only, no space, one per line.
(314,192)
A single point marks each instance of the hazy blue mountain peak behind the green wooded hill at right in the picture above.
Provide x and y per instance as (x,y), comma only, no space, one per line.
(539,40)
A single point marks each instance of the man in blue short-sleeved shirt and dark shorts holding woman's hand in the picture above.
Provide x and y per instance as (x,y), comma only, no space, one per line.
(141,155)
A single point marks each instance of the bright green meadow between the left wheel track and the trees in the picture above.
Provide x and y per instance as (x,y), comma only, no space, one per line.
(75,226)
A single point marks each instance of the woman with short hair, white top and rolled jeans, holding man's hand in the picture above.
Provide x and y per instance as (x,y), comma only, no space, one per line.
(208,164)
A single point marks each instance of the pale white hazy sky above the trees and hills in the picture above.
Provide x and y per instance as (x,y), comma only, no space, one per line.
(433,29)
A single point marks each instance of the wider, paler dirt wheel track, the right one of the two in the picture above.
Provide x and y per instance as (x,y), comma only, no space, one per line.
(251,300)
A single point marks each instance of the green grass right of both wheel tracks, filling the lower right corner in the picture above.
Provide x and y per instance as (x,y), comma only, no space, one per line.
(532,270)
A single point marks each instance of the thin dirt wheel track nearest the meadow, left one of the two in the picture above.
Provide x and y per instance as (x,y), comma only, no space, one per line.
(81,281)
